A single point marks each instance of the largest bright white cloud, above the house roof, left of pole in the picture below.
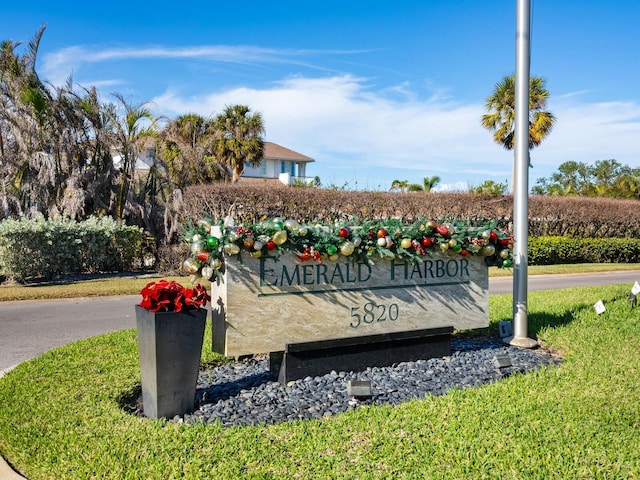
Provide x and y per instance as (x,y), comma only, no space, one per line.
(343,116)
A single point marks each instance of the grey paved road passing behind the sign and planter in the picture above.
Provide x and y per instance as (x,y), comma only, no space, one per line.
(29,328)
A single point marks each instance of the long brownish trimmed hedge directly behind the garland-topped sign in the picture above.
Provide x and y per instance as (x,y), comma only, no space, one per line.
(548,215)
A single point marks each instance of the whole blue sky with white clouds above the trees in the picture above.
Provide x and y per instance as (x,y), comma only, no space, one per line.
(374,91)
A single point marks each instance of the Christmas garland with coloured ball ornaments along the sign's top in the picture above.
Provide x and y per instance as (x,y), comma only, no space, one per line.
(365,242)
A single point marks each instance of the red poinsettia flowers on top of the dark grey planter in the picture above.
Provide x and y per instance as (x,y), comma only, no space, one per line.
(164,296)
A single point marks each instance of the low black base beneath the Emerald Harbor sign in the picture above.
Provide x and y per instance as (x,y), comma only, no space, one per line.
(315,358)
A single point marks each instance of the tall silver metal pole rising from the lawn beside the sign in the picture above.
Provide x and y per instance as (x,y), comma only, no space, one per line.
(520,336)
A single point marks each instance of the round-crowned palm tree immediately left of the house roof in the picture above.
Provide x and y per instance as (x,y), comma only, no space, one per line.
(238,139)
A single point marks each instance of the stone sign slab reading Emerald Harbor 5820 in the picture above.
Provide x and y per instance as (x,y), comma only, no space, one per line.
(260,305)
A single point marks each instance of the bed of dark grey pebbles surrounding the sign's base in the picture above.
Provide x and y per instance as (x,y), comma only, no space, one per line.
(242,393)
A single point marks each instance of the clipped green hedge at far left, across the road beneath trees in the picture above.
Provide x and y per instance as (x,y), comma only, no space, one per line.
(38,248)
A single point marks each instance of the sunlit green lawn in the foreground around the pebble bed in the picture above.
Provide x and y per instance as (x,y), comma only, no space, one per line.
(60,415)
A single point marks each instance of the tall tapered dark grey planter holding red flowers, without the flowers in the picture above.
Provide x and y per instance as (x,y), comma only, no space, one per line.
(169,346)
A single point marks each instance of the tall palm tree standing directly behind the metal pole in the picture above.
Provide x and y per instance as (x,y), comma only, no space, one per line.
(502,113)
